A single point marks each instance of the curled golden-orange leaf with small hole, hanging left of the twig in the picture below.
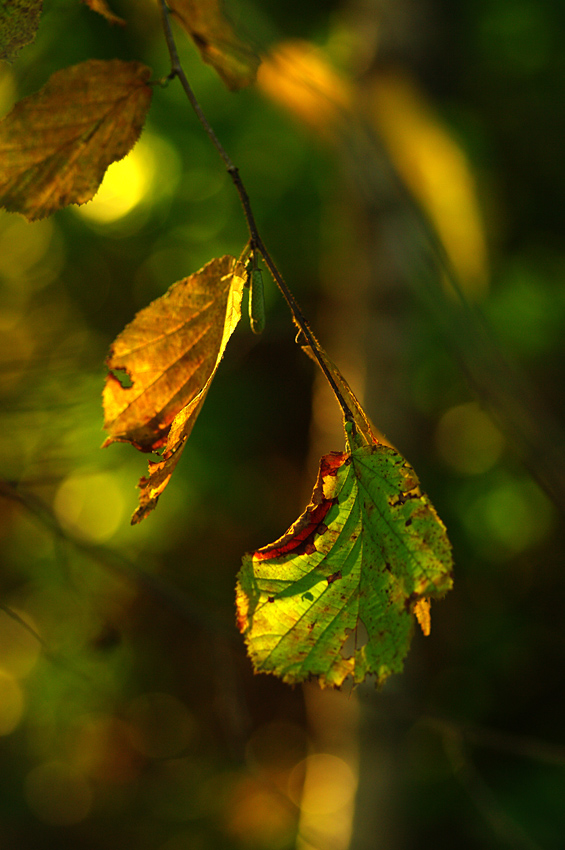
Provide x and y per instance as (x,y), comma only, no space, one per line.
(169,355)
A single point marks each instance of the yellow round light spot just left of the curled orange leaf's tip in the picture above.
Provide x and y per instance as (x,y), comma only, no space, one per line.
(90,505)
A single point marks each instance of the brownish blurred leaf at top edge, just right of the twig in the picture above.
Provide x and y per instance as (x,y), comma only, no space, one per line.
(217,41)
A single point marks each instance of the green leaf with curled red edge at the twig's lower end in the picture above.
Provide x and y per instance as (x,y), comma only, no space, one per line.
(336,595)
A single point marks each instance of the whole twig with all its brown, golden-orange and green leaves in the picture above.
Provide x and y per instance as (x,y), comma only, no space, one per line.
(336,596)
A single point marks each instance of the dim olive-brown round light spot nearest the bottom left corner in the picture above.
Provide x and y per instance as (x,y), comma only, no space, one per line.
(58,794)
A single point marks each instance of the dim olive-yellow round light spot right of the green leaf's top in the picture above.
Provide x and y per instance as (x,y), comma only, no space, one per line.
(467,439)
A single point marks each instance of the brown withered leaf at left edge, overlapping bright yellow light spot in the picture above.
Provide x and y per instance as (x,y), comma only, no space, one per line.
(55,145)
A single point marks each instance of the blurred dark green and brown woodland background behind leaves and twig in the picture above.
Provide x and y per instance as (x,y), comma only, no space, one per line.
(138,722)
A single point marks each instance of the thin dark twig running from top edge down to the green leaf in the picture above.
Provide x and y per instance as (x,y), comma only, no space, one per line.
(256,240)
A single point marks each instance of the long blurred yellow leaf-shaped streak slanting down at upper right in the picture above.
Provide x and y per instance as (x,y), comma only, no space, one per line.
(436,170)
